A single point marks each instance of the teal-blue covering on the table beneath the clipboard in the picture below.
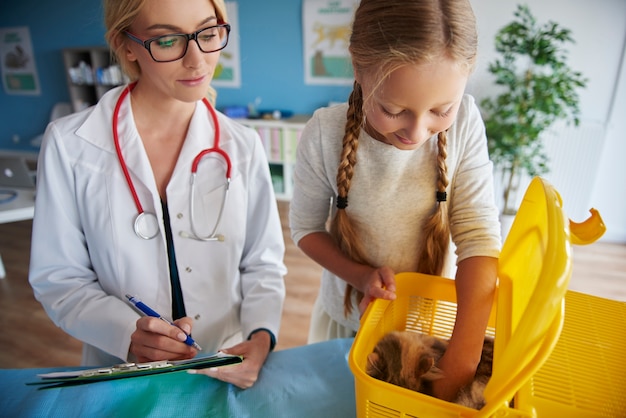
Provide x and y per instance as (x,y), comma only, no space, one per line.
(308,381)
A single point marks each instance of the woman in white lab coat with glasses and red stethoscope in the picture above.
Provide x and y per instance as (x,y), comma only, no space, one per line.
(152,193)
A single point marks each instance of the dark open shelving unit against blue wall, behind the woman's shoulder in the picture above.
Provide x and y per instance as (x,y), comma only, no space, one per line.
(90,74)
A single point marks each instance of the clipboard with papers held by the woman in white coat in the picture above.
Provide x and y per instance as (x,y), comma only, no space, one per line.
(126,370)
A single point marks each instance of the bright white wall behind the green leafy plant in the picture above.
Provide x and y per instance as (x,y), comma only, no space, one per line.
(587,163)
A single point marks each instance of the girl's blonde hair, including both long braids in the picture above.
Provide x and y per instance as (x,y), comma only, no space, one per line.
(387,35)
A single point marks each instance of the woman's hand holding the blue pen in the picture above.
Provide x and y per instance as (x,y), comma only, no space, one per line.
(155,339)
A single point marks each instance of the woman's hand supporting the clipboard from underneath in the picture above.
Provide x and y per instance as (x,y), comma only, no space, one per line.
(254,352)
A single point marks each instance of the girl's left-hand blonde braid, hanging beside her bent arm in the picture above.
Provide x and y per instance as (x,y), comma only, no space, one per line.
(342,228)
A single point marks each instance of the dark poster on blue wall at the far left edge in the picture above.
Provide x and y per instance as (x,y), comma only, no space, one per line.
(19,72)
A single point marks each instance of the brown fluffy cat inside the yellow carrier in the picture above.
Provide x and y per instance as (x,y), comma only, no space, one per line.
(407,359)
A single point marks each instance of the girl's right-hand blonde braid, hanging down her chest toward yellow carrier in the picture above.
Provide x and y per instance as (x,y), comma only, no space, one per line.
(437,227)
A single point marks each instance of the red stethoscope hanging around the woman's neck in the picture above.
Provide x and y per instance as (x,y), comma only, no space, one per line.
(146,224)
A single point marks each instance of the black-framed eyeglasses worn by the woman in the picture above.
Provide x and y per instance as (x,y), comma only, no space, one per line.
(167,48)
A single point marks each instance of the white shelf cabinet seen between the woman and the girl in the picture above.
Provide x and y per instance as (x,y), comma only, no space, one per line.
(280,139)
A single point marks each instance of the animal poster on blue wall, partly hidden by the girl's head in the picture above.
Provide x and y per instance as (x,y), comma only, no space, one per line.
(326,26)
